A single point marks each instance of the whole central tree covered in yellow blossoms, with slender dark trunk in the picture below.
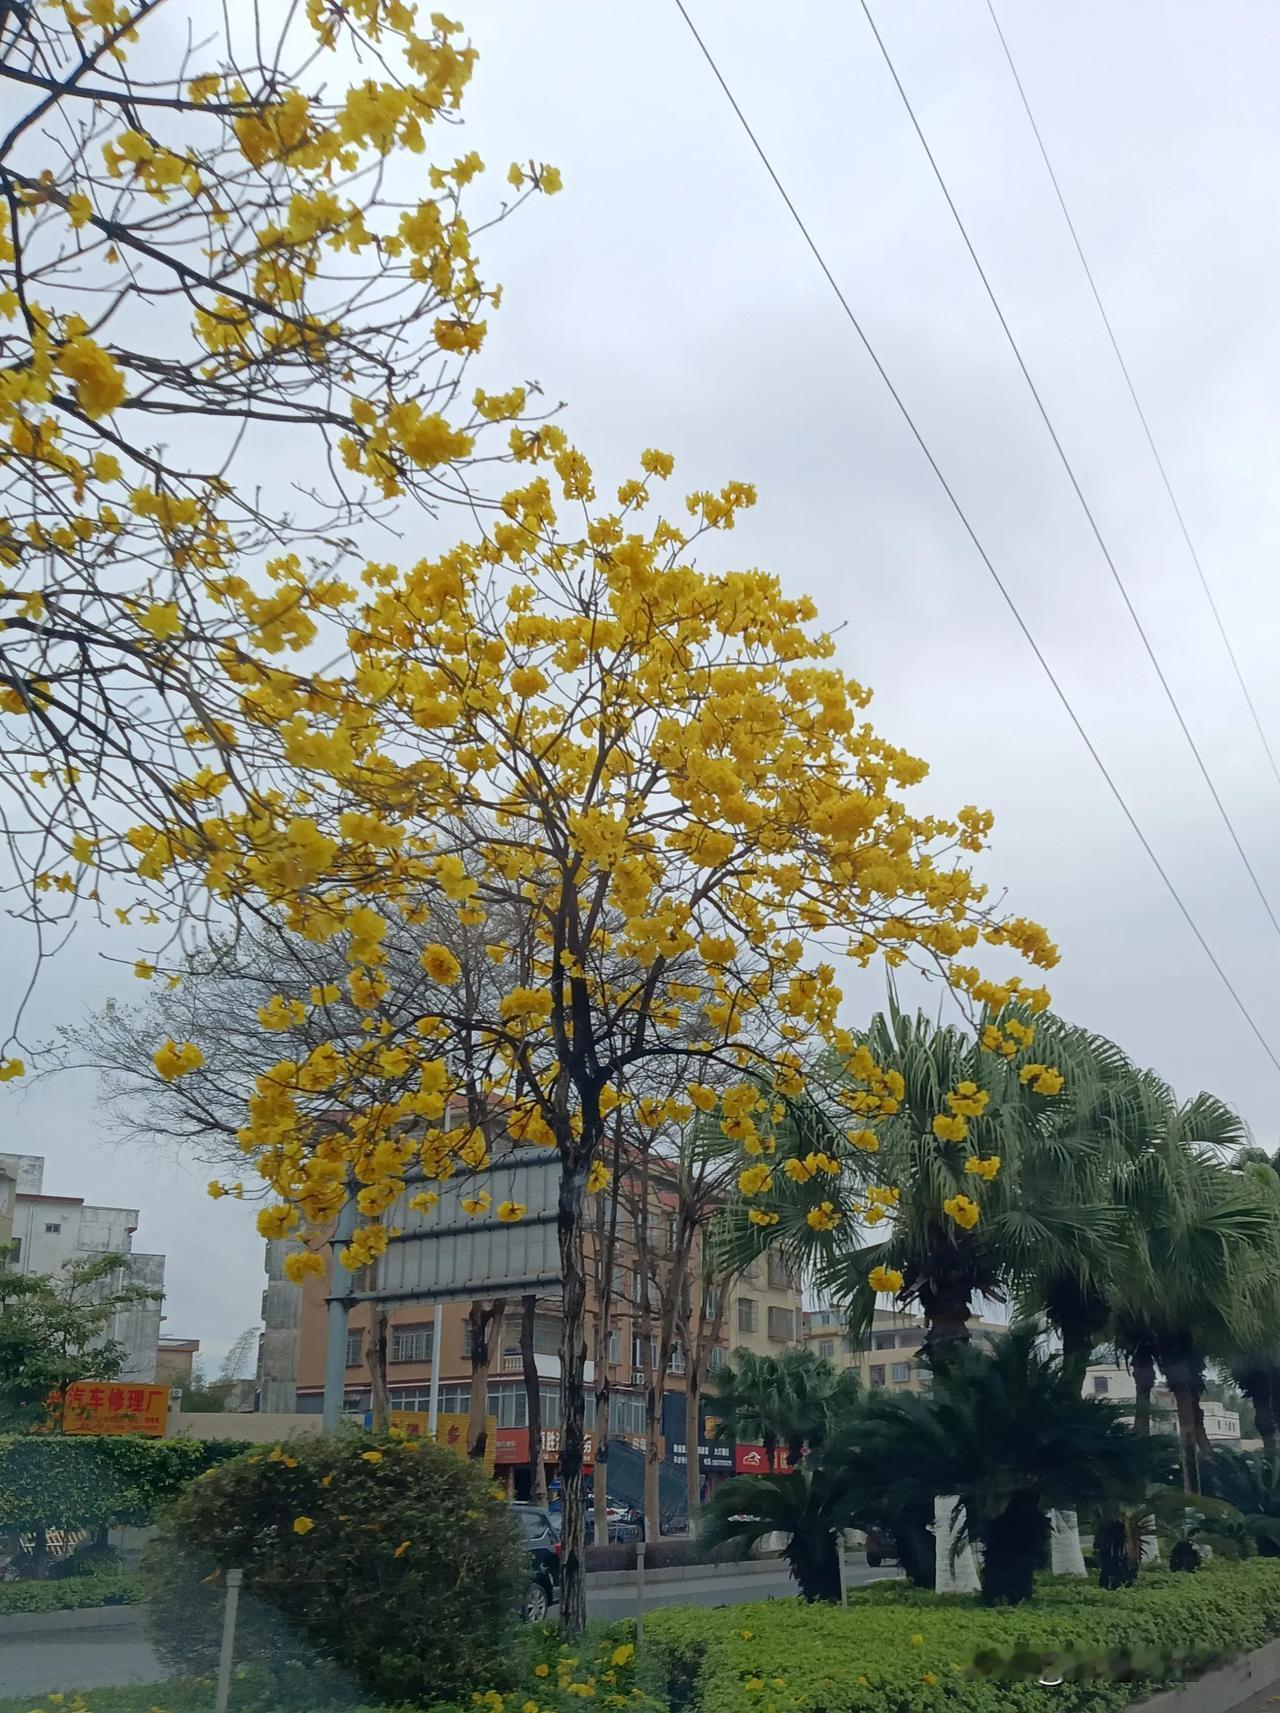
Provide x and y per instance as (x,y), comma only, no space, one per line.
(655,792)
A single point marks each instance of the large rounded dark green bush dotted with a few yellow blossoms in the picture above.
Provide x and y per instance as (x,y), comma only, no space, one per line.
(393,1568)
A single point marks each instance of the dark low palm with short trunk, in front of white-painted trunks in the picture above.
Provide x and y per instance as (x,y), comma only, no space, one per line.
(1012,1436)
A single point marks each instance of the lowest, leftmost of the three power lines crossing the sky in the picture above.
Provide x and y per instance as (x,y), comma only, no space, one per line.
(981,551)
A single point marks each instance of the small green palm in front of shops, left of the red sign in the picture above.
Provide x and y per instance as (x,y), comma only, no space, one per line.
(789,1400)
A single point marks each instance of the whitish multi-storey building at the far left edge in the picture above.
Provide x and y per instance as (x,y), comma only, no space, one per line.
(47,1233)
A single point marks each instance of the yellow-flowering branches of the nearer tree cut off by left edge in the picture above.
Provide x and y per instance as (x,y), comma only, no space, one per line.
(237,306)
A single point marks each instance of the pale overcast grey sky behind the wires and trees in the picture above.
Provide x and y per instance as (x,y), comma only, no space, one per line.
(669,301)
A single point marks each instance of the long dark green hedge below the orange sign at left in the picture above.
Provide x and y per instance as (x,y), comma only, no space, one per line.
(90,1481)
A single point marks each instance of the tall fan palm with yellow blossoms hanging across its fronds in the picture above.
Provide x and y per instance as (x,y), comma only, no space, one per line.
(1043,1210)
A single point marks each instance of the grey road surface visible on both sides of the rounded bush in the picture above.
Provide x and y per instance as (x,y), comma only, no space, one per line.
(99,1659)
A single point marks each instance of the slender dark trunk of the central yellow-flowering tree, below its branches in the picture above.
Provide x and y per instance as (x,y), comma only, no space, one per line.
(573,1395)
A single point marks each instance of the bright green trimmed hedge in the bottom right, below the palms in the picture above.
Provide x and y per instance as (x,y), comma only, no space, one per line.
(897,1649)
